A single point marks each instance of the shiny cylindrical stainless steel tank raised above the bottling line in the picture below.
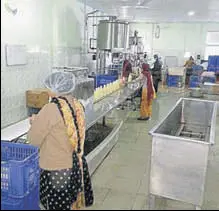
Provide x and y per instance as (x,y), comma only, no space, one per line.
(112,35)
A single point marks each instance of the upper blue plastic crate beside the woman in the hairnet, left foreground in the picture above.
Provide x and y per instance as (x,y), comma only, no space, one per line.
(19,169)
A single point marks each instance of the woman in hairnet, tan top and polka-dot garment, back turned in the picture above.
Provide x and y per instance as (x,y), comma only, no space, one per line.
(59,132)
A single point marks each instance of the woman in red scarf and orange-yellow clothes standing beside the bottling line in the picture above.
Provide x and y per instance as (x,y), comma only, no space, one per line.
(148,94)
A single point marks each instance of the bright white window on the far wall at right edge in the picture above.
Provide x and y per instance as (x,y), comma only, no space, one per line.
(212,44)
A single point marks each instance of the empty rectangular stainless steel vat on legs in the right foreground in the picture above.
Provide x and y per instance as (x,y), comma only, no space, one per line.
(180,147)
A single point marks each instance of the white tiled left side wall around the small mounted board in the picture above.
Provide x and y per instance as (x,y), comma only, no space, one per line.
(52,30)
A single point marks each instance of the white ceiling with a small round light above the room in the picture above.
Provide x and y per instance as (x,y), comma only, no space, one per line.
(160,10)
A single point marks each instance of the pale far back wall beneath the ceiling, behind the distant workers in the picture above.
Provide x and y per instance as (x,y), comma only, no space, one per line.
(175,38)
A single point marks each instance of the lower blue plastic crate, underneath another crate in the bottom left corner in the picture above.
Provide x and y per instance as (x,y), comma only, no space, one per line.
(28,202)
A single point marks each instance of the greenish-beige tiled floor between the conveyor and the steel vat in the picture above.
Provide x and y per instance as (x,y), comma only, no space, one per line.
(121,181)
